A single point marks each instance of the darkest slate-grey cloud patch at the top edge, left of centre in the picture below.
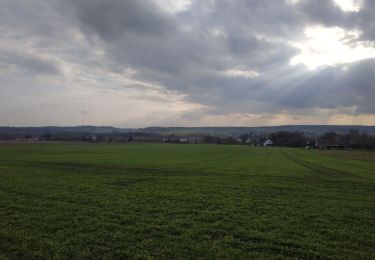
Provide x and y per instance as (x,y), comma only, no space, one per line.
(115,19)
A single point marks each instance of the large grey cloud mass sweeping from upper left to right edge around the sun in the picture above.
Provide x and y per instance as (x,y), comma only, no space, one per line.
(191,61)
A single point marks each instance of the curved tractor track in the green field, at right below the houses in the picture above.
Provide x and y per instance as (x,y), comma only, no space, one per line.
(318,168)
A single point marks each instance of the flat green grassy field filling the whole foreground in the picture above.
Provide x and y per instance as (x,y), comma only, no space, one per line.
(185,201)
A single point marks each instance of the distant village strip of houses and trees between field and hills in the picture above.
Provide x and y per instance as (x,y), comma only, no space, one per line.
(329,140)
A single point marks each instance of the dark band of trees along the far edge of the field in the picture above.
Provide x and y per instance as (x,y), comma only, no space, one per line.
(352,139)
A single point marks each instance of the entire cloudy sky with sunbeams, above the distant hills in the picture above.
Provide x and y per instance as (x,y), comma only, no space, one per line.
(132,63)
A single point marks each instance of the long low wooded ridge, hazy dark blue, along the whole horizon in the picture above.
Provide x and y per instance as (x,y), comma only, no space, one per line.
(218,131)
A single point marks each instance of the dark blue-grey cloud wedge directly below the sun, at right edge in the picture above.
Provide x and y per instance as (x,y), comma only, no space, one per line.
(334,87)
